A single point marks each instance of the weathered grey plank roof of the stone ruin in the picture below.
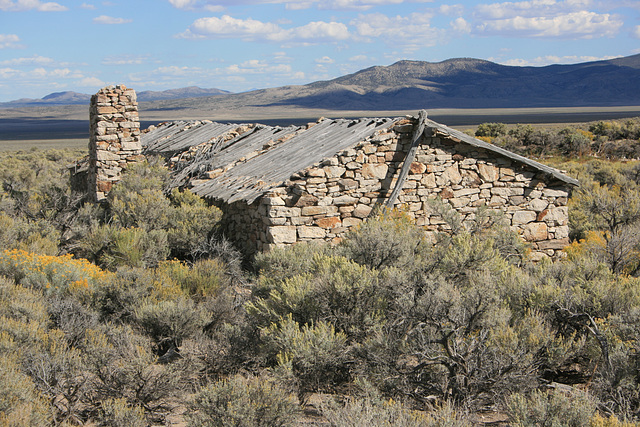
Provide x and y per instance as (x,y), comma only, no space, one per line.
(243,162)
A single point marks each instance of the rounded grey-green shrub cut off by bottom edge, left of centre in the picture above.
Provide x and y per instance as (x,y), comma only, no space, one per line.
(240,401)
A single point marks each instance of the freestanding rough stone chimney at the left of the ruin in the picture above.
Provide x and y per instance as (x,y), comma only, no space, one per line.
(114,139)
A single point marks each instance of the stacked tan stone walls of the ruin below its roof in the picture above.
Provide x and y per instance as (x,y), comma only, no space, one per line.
(324,201)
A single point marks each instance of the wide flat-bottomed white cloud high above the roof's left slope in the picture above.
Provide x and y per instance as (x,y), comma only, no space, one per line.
(254,30)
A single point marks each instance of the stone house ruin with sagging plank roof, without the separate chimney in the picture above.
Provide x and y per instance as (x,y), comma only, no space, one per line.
(282,185)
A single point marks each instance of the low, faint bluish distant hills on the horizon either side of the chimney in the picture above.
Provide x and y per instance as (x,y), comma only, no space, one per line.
(75,98)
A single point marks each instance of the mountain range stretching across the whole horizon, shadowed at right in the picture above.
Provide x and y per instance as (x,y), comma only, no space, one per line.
(407,85)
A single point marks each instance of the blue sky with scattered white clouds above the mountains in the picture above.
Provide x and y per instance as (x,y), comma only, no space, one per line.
(248,44)
